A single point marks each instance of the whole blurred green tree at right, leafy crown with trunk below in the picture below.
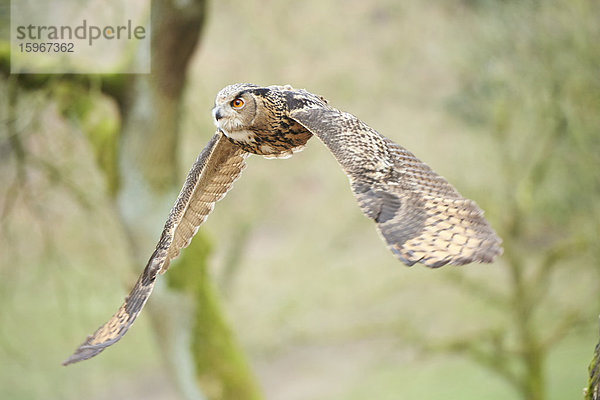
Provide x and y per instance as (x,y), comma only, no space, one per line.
(536,85)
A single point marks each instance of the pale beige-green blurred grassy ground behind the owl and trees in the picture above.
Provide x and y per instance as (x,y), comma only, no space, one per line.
(321,306)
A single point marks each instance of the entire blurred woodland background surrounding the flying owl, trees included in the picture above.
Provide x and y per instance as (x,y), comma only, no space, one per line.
(287,292)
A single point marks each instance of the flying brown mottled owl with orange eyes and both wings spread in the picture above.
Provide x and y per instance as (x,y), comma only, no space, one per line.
(419,215)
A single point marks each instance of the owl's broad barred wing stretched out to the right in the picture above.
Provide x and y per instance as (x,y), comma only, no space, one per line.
(418,213)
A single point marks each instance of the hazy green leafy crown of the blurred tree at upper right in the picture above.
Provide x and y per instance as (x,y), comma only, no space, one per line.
(536,84)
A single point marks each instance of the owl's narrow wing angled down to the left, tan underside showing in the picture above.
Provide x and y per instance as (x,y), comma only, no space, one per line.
(209,179)
